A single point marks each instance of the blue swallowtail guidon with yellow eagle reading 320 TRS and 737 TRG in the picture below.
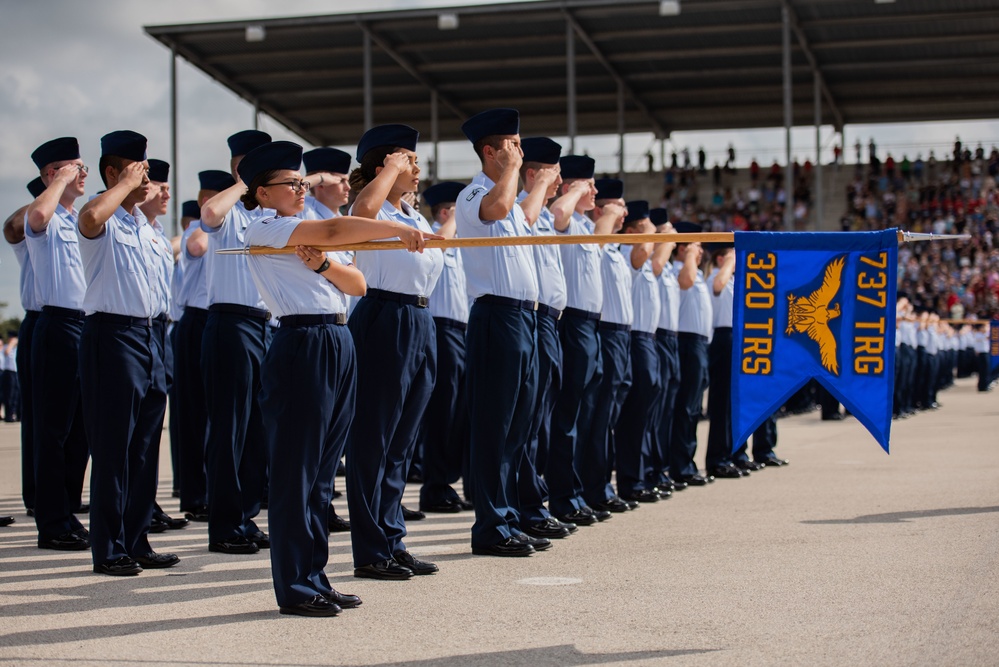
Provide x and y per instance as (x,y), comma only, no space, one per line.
(814,305)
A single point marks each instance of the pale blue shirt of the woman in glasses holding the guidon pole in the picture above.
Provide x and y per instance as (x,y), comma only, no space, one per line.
(288,286)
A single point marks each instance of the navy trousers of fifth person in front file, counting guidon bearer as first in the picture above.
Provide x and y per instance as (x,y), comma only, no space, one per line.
(580,344)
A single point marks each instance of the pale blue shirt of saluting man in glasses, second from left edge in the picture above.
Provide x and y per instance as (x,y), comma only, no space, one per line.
(55,258)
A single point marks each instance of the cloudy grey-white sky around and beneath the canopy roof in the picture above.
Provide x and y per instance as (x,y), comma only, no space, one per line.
(85,67)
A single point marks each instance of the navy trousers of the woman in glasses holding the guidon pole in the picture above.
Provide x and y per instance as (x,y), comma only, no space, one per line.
(307,401)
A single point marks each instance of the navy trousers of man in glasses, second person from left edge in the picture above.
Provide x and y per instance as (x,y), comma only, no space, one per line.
(60,447)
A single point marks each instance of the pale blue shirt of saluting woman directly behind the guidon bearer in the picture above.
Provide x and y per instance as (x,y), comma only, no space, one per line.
(400,270)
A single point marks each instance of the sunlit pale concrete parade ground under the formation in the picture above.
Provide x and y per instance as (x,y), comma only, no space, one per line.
(846,556)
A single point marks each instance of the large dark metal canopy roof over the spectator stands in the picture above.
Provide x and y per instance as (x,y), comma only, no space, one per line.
(716,65)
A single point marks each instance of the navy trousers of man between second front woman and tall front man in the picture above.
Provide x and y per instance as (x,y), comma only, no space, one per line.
(445,424)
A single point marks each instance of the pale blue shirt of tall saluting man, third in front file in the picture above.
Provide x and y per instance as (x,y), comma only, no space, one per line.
(503,271)
